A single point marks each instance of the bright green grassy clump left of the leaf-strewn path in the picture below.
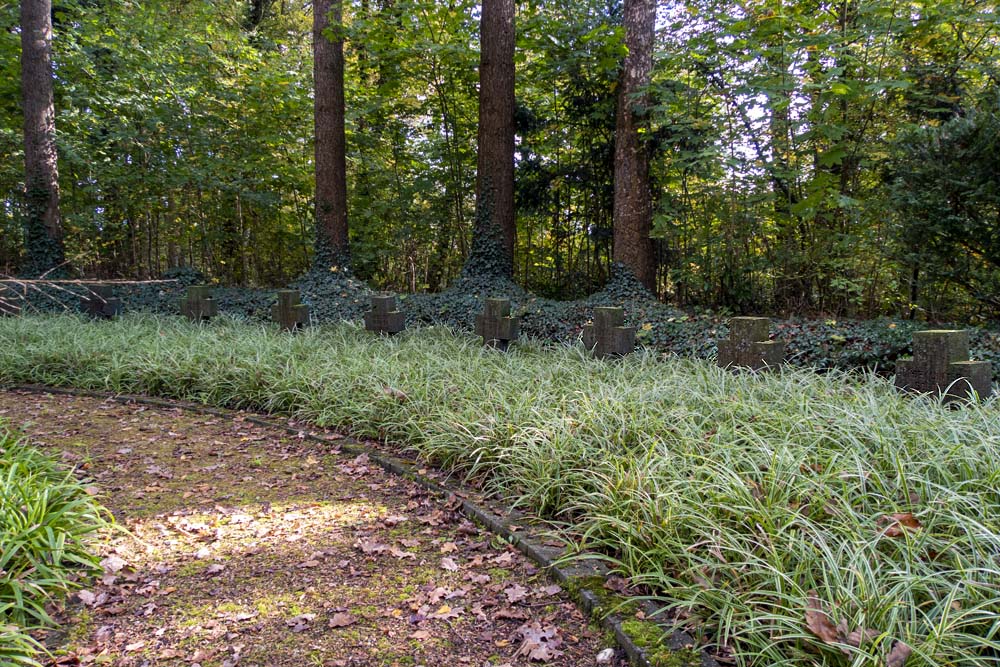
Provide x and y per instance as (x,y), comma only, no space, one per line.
(47,518)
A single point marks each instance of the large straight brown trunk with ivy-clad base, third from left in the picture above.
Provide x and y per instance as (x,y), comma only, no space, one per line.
(494,234)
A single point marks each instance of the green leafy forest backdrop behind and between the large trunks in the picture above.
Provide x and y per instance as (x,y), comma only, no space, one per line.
(804,157)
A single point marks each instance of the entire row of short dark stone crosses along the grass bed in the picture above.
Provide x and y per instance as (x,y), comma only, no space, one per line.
(940,361)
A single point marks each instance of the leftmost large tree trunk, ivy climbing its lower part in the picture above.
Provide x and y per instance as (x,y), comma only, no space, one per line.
(44,234)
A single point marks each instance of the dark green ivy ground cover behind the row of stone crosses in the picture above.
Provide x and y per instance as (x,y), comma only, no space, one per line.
(818,343)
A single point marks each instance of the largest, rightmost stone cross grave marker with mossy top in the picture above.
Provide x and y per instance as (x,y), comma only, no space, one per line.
(941,365)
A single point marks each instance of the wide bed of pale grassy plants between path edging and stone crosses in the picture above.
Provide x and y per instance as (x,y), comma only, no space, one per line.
(789,518)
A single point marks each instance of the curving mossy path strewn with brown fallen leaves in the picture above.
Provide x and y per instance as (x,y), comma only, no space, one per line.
(250,546)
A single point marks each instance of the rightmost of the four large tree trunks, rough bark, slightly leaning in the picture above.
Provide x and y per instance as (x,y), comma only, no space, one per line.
(633,206)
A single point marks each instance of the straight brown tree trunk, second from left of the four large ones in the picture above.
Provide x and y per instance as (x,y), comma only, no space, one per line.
(331,162)
